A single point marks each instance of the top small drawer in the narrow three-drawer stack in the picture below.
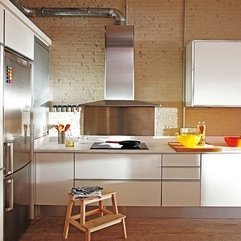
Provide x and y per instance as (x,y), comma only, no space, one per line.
(181,160)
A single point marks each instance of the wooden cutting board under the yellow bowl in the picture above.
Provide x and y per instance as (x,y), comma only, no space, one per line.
(206,148)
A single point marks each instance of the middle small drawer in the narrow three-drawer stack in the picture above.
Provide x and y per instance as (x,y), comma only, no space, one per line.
(181,173)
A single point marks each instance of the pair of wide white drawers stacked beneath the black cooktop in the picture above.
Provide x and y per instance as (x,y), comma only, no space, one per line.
(136,178)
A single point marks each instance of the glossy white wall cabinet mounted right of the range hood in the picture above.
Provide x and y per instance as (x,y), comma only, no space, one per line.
(213,73)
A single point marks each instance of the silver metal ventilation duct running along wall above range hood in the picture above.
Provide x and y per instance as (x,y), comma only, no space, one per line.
(72,12)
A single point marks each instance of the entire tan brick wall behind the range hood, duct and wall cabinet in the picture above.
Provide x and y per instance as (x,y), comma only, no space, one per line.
(160,37)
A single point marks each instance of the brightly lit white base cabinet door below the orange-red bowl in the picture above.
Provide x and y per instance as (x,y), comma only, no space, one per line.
(221,180)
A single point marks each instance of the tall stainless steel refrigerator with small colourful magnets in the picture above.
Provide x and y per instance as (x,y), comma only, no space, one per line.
(17,139)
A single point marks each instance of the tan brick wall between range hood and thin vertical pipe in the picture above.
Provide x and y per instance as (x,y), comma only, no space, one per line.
(159,49)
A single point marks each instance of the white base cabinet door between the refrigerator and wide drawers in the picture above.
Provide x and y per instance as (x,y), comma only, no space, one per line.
(54,178)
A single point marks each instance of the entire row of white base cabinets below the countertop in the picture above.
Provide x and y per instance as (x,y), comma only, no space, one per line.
(167,180)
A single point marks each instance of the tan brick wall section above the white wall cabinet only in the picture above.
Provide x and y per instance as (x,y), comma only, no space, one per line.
(213,19)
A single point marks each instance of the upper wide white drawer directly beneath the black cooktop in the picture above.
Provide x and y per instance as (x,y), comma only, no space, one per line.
(113,166)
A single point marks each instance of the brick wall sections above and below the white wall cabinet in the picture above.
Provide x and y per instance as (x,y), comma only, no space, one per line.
(214,19)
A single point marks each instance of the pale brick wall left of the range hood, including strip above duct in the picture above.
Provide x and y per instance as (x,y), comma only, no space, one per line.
(77,53)
